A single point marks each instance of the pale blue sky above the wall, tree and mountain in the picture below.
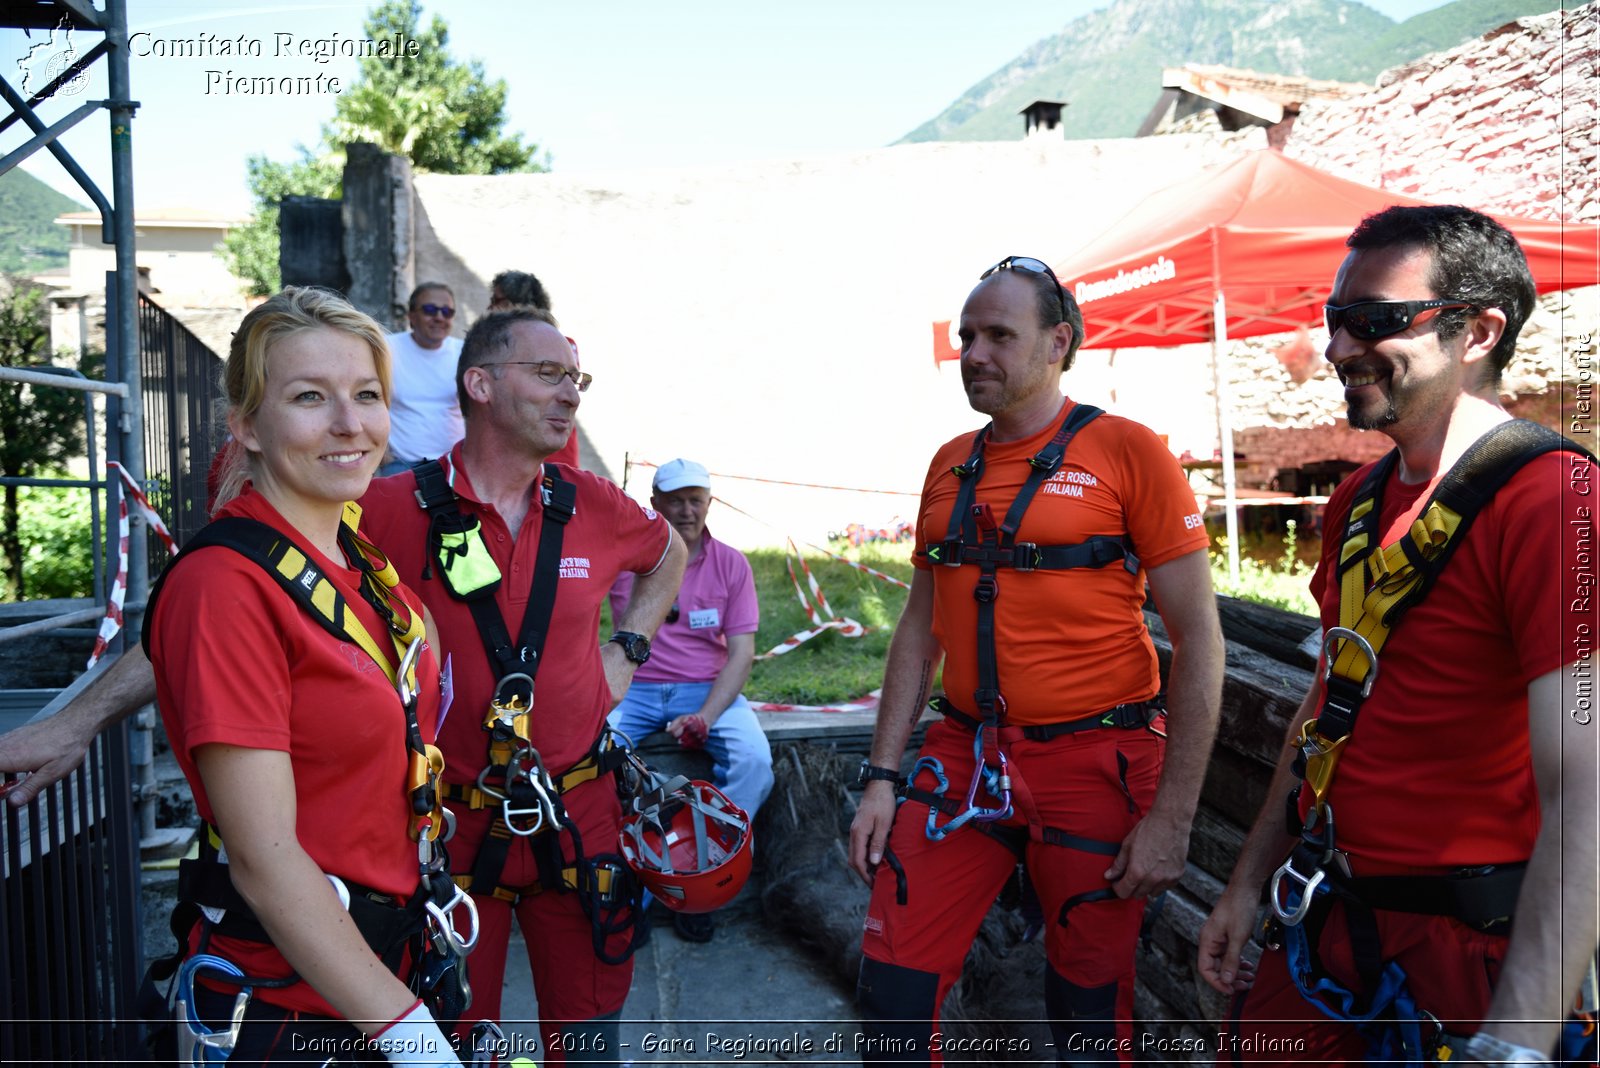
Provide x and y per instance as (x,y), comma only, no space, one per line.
(620,86)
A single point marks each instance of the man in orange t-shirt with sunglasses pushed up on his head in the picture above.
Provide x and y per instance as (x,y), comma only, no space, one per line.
(1036,543)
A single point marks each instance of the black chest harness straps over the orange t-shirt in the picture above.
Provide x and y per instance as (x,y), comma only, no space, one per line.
(975,540)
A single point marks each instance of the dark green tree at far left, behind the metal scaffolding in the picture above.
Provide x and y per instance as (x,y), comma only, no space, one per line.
(41,428)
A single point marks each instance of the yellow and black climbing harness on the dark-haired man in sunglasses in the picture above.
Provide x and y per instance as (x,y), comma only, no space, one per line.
(1377,588)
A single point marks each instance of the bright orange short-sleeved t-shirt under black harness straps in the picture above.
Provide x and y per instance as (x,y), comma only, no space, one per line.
(1068,644)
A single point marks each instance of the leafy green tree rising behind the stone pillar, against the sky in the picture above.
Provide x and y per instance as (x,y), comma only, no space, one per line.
(442,114)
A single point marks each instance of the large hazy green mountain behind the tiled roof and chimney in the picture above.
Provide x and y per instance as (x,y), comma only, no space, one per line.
(1108,65)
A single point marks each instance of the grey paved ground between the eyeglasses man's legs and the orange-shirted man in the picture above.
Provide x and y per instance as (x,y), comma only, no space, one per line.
(746,997)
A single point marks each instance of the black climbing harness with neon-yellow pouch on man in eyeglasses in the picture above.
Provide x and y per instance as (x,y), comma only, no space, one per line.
(516,779)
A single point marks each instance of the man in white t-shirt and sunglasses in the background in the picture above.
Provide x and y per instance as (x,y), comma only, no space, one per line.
(425,416)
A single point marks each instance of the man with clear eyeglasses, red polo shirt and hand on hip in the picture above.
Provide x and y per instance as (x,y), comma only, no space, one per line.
(521,388)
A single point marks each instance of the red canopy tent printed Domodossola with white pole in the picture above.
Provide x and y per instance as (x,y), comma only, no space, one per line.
(1250,249)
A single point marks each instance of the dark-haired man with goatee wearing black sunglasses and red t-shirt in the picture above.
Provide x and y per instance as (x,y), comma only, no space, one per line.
(1454,896)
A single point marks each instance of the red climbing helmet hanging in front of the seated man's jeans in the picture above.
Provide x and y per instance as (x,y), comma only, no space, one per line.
(689,845)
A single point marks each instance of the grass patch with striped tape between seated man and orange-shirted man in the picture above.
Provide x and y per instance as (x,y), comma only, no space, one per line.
(830,667)
